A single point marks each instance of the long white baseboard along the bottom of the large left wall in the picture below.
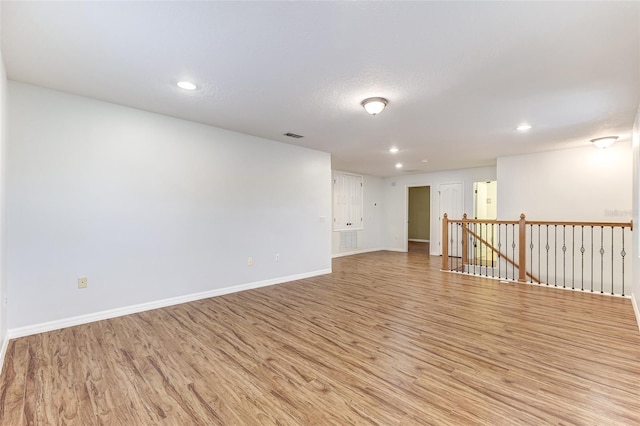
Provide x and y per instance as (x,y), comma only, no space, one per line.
(132,309)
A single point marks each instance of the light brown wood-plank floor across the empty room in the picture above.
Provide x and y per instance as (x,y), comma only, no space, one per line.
(386,339)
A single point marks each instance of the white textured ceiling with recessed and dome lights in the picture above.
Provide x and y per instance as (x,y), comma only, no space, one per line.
(459,76)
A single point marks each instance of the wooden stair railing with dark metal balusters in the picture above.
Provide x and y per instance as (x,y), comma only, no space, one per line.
(587,256)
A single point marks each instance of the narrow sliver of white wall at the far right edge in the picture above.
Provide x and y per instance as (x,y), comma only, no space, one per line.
(635,290)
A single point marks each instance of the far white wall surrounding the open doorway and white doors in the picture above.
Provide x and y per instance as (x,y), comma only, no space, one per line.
(395,192)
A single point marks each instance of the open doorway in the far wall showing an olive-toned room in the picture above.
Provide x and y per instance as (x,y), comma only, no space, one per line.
(419,219)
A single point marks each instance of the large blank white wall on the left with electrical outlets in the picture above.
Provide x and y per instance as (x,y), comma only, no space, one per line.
(149,207)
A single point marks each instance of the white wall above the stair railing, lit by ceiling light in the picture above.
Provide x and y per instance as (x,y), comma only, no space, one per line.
(583,184)
